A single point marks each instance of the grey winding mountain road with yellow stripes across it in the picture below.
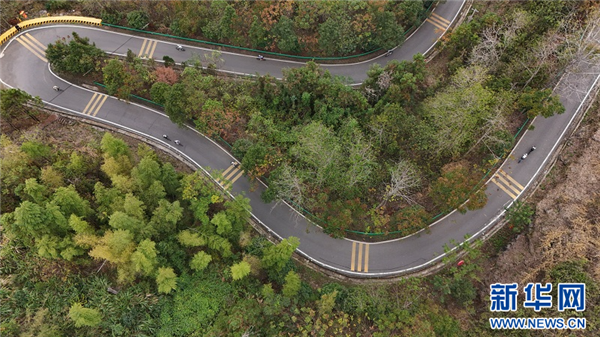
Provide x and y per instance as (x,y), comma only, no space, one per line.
(23,65)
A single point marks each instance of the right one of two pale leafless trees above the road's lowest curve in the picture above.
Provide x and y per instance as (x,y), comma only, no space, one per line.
(404,179)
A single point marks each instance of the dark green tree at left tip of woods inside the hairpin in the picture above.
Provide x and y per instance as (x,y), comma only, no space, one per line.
(76,55)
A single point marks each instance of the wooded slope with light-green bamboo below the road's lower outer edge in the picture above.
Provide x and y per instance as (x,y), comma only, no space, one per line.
(48,291)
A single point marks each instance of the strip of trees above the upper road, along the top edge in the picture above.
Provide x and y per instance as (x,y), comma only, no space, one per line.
(310,28)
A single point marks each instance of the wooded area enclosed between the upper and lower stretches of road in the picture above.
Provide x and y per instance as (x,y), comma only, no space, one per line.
(409,145)
